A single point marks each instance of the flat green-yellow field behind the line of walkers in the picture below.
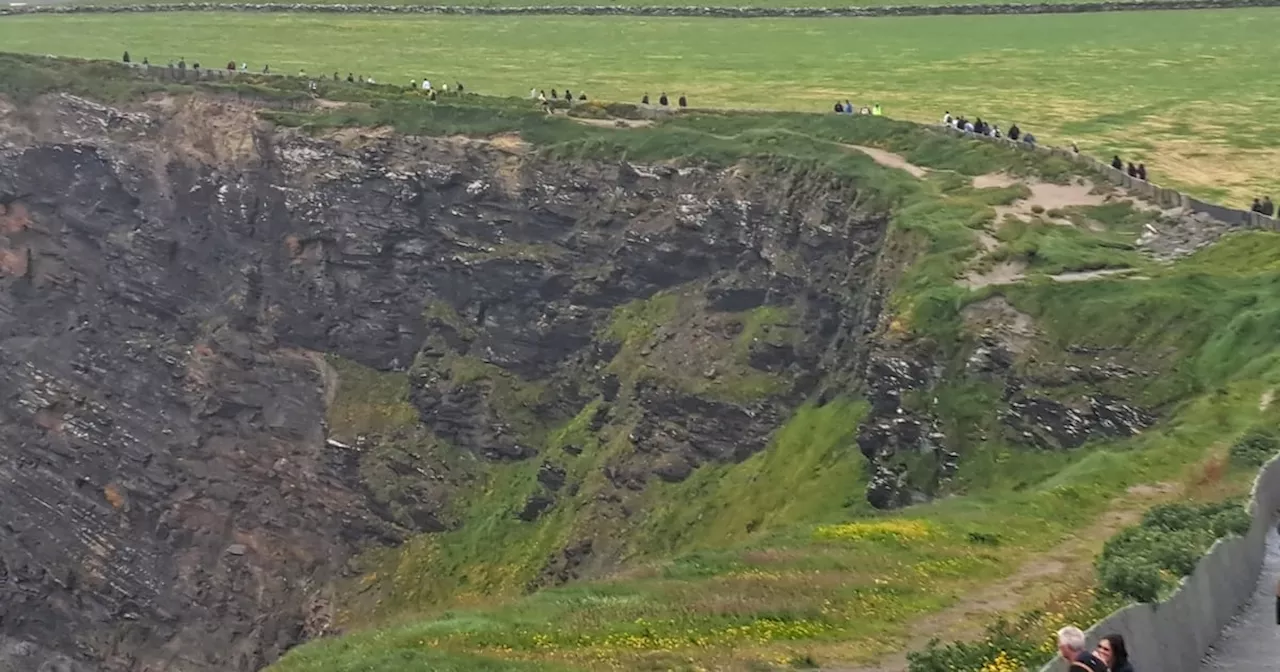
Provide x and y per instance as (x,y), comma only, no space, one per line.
(1188,93)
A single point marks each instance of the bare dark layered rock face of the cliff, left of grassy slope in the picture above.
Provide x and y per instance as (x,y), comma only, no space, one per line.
(176,281)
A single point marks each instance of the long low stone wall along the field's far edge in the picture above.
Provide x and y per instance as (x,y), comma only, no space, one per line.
(620,11)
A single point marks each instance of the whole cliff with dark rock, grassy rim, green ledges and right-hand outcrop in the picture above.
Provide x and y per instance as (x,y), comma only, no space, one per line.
(266,377)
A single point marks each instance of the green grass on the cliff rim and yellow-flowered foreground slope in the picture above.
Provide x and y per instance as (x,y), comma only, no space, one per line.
(776,561)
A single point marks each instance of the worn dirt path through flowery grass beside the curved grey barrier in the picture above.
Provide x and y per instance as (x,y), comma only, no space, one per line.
(1031,584)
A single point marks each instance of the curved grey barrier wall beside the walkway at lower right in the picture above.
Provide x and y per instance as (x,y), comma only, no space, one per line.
(1176,634)
